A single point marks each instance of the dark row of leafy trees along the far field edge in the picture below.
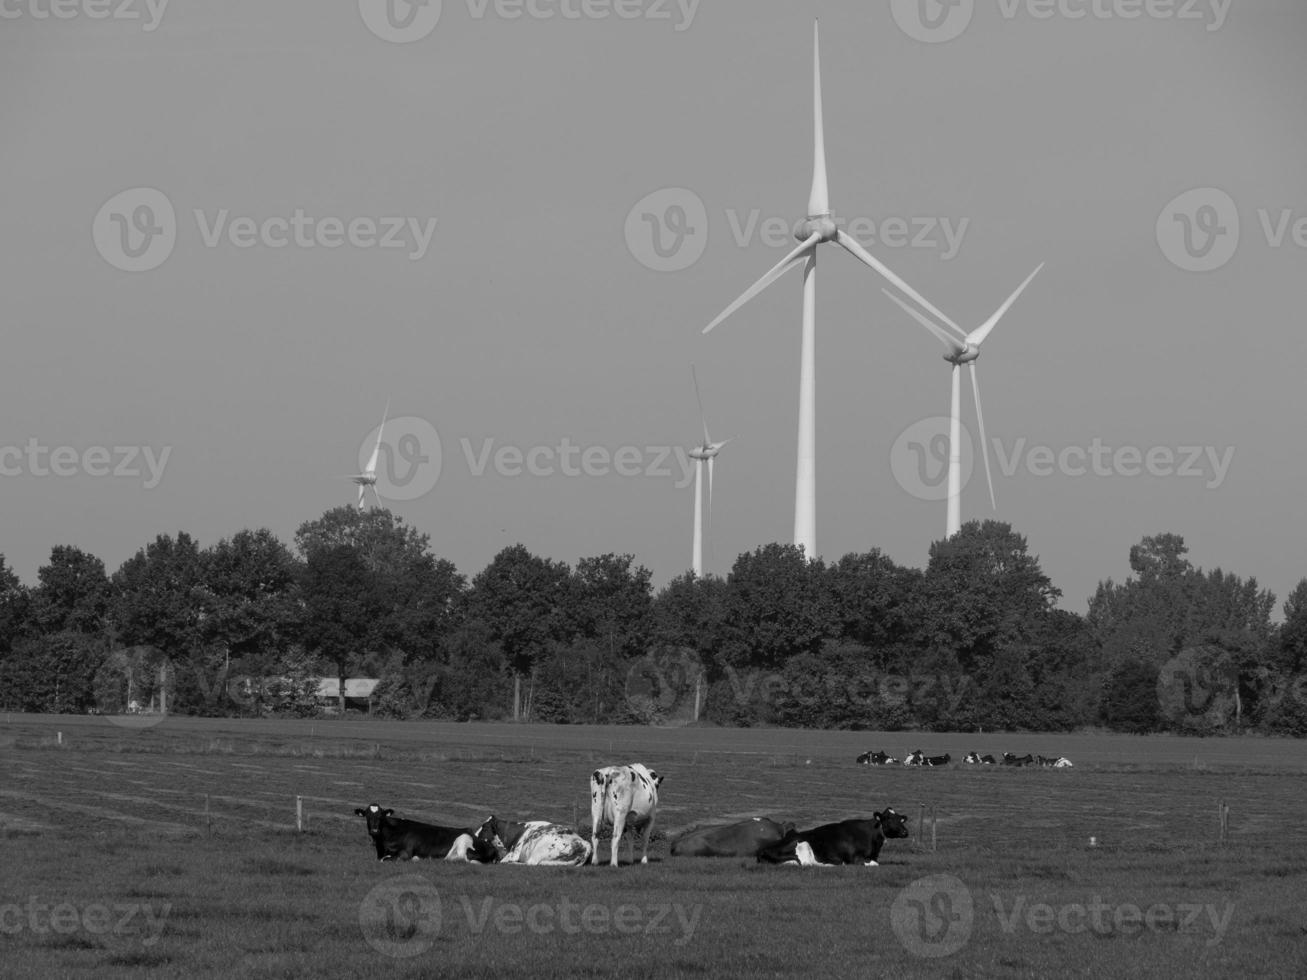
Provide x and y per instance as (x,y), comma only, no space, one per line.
(972,642)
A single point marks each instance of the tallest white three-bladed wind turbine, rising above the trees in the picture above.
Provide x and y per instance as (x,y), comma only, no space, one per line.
(819,228)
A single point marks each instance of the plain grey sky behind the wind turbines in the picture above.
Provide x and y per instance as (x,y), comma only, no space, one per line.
(533,316)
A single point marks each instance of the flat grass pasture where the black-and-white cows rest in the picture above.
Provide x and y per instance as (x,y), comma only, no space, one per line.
(114,868)
